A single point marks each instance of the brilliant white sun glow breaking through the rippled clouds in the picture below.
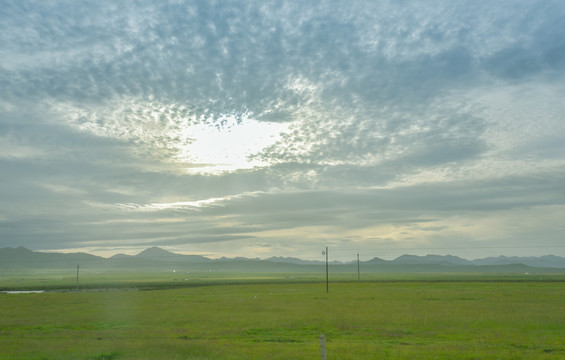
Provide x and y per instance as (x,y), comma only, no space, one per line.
(210,147)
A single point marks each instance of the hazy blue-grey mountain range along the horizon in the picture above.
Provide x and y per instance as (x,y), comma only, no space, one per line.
(156,258)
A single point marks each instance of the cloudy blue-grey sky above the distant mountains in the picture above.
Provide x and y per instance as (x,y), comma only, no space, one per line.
(277,128)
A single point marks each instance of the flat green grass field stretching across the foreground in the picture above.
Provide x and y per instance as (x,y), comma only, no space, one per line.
(283,319)
